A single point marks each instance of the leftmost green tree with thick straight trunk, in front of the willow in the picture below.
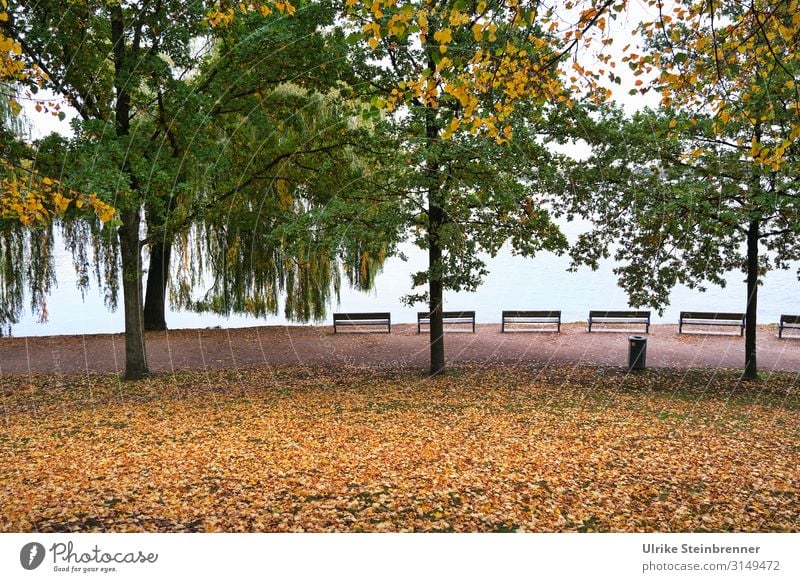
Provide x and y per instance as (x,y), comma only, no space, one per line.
(105,59)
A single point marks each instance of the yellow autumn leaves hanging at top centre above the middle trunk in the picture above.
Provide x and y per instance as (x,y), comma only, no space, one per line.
(504,51)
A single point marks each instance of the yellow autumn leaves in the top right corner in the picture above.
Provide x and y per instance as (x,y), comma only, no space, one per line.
(735,60)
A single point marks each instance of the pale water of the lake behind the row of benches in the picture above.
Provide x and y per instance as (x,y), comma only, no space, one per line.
(513,283)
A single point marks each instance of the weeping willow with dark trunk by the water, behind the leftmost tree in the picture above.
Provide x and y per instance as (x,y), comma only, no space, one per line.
(276,113)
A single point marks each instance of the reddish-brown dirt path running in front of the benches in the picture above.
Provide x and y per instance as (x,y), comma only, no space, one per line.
(403,348)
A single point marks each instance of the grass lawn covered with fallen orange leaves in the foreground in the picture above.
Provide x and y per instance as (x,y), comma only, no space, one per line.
(482,449)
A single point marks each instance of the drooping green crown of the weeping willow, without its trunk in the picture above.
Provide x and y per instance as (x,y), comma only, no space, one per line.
(284,151)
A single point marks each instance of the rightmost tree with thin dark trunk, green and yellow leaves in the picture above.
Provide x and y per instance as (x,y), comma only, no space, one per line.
(710,182)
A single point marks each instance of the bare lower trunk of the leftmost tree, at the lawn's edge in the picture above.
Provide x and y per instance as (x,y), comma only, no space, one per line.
(135,352)
